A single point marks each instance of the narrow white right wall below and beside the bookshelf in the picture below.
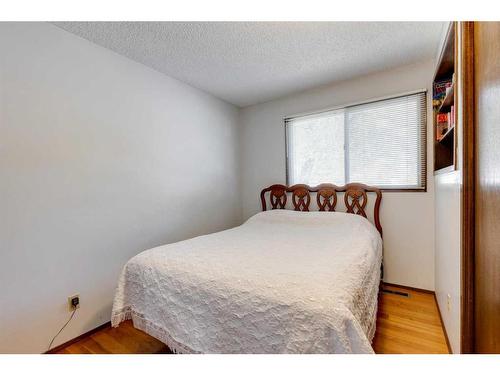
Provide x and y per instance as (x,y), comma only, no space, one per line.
(448,207)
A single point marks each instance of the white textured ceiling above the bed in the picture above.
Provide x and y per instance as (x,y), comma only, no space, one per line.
(252,62)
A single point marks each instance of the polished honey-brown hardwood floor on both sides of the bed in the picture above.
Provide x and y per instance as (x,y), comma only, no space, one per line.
(404,325)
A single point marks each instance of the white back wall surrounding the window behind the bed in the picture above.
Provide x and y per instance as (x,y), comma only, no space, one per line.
(407,218)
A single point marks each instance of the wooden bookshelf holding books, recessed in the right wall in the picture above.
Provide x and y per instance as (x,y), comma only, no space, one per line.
(444,99)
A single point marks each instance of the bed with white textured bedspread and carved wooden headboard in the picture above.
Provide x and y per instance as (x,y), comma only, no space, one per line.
(291,279)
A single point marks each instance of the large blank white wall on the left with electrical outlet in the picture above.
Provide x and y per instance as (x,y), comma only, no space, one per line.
(100,158)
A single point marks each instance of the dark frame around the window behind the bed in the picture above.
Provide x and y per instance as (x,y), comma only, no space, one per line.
(346,161)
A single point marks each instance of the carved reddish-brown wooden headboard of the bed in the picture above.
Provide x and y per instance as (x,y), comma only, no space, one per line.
(355,198)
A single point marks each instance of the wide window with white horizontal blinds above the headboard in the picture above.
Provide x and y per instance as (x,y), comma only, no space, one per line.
(381,143)
